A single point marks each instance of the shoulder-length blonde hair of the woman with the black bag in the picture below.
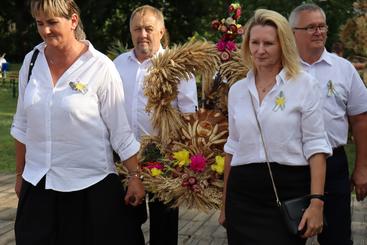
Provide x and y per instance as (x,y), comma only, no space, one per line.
(290,58)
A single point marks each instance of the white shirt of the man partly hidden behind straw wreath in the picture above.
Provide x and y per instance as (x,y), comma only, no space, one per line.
(133,73)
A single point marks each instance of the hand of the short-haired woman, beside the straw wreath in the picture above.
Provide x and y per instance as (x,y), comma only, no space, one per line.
(135,191)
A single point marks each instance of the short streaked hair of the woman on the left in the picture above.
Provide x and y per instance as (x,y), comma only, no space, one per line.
(59,8)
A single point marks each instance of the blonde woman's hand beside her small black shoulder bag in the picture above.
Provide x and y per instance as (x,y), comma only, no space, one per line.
(312,219)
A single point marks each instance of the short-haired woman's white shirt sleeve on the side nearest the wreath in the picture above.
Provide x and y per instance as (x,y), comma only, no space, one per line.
(113,113)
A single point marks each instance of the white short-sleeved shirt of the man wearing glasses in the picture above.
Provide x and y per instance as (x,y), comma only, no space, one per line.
(343,93)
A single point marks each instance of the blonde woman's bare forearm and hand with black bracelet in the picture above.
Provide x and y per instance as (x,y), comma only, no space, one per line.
(313,216)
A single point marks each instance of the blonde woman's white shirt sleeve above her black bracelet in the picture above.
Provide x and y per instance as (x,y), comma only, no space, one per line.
(314,137)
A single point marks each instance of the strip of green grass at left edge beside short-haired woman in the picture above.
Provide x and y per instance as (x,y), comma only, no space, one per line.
(7,151)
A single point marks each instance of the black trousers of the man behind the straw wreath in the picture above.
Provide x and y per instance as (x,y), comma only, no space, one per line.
(163,224)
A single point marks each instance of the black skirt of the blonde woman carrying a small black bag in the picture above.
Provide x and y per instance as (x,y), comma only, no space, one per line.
(252,215)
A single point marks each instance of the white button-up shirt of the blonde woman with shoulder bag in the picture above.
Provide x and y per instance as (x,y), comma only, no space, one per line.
(292,131)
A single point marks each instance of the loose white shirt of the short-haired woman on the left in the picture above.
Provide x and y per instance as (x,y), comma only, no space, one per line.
(69,135)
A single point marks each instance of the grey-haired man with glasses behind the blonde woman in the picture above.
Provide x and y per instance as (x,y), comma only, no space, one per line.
(345,100)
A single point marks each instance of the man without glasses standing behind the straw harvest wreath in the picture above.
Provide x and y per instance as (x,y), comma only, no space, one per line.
(147,30)
